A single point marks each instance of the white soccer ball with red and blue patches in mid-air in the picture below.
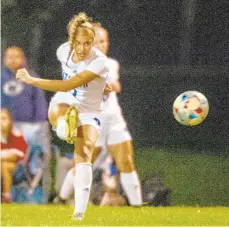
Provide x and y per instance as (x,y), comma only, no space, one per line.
(190,108)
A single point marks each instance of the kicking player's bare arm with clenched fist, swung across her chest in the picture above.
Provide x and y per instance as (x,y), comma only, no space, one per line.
(57,85)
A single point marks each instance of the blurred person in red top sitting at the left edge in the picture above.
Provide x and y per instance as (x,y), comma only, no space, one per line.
(13,150)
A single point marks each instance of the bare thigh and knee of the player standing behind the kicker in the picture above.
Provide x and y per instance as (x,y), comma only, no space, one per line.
(123,155)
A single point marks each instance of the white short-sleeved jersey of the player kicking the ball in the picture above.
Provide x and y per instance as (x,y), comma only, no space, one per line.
(89,96)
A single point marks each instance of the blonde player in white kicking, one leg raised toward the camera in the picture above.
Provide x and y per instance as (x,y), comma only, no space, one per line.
(76,114)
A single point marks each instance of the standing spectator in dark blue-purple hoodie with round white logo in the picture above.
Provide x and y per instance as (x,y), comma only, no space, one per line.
(28,107)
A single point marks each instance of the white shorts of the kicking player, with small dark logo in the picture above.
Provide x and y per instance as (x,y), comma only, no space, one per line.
(93,119)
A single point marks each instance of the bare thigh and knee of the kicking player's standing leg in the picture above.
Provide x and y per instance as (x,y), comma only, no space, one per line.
(87,136)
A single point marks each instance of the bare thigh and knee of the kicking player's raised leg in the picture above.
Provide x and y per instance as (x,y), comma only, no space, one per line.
(57,111)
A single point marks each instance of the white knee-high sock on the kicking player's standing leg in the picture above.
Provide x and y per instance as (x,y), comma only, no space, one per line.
(82,186)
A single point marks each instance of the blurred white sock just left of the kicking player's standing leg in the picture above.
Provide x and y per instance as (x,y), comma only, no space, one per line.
(67,188)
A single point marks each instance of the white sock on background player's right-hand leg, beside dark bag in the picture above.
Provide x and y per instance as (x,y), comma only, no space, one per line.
(131,186)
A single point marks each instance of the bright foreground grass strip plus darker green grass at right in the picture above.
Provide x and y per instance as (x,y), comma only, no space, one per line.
(200,181)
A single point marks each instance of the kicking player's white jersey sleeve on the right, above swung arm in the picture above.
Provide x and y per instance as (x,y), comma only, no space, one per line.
(98,66)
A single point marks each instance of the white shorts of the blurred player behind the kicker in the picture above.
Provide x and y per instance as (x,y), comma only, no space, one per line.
(114,131)
